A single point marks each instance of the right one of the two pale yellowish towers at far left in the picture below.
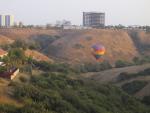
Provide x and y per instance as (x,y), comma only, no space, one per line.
(9,20)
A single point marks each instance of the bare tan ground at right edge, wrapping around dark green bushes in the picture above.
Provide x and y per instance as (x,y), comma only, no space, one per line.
(112,74)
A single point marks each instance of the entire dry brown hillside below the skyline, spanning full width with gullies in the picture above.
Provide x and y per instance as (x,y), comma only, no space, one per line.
(74,46)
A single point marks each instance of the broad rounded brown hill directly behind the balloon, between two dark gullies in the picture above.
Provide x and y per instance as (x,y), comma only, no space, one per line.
(76,45)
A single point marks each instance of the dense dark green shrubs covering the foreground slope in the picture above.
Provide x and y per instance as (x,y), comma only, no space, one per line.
(58,93)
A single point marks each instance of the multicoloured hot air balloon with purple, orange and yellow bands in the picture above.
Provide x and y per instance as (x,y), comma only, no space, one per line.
(98,50)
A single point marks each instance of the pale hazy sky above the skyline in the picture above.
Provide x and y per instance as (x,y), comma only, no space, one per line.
(126,12)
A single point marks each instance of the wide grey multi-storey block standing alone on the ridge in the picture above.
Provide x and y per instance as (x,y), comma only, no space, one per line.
(93,19)
